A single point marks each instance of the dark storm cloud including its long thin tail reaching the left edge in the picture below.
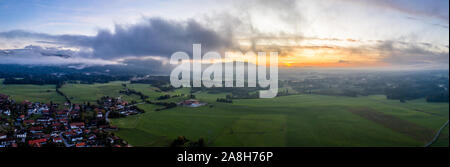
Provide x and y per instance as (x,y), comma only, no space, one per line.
(154,37)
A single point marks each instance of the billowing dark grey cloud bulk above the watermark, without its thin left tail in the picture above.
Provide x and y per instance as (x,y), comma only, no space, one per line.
(156,37)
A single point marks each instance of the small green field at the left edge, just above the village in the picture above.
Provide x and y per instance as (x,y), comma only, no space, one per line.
(33,93)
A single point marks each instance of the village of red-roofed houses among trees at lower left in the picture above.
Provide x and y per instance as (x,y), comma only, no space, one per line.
(36,125)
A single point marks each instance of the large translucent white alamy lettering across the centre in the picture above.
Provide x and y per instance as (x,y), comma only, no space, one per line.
(211,76)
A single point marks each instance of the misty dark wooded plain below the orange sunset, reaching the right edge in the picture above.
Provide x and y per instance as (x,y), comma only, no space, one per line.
(405,85)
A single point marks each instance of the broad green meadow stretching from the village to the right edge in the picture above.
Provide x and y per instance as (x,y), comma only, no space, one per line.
(298,120)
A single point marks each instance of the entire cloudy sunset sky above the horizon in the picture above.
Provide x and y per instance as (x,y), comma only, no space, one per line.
(409,34)
